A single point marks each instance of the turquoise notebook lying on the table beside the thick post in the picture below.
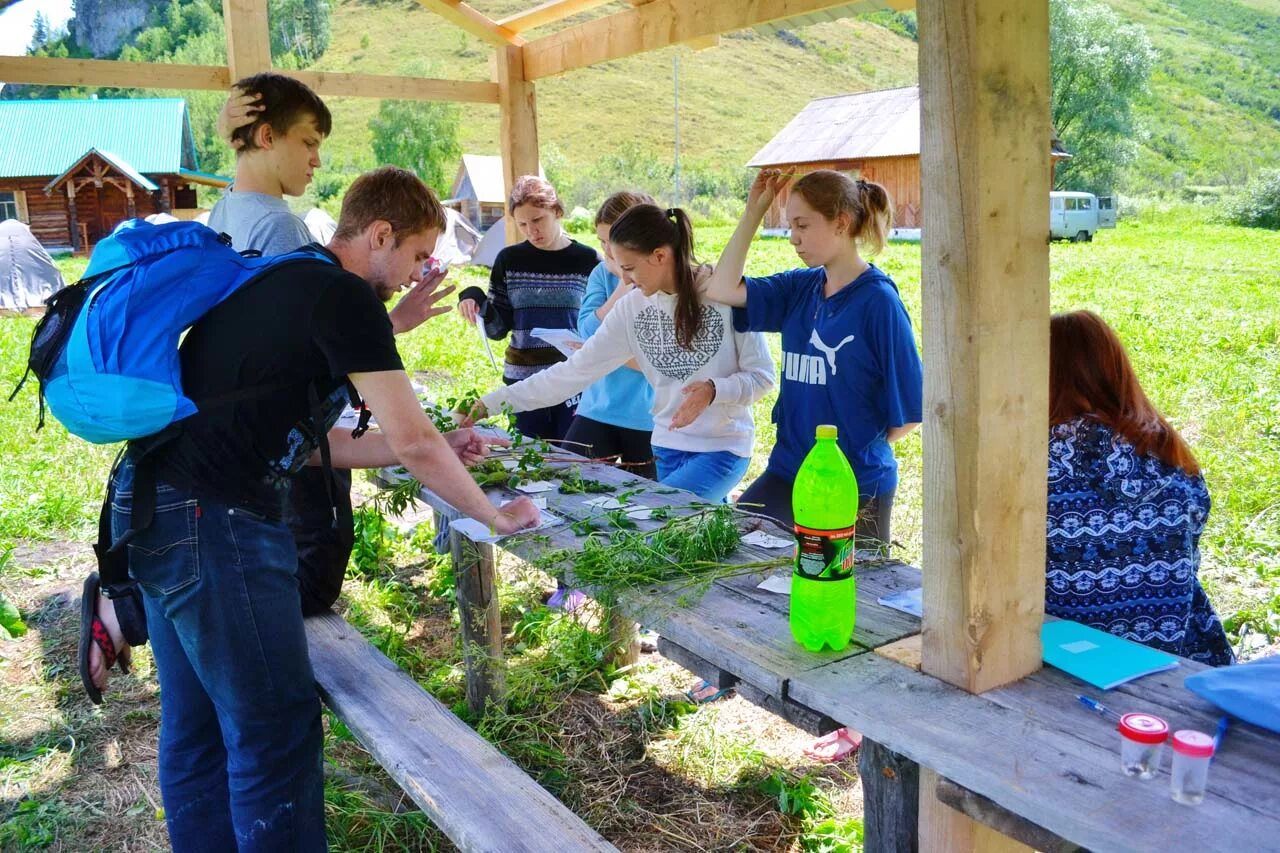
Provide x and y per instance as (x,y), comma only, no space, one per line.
(1103,660)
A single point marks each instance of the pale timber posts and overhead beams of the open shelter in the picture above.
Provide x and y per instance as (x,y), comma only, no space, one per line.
(985,89)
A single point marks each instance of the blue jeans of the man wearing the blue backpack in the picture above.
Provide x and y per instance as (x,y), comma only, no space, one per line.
(241,742)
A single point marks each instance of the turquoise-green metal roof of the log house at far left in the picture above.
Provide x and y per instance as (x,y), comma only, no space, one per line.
(42,139)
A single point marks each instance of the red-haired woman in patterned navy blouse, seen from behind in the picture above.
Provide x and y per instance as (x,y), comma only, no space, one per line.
(1127,503)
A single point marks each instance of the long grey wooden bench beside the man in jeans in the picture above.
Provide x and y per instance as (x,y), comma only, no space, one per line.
(476,795)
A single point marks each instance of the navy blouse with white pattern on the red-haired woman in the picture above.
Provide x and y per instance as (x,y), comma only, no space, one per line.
(1124,544)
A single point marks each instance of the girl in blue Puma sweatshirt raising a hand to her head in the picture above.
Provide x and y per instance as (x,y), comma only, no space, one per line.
(849,355)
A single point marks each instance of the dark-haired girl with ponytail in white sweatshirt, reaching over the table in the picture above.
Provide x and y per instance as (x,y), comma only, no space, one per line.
(705,375)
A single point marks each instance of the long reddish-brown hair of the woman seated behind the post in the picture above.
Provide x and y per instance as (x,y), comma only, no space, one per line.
(1090,375)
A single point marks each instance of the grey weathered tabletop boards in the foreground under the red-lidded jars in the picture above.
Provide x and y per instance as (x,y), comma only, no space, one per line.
(1028,761)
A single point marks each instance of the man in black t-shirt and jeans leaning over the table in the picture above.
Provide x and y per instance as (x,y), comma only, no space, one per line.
(240,733)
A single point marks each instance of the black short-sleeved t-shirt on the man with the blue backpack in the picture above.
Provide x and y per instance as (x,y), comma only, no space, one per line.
(308,322)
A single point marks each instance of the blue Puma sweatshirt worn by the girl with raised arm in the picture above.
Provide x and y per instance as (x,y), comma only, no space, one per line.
(848,361)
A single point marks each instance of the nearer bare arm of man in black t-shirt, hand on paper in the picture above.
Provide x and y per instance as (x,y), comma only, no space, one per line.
(419,446)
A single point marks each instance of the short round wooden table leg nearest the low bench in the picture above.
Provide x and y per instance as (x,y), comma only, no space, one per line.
(482,622)
